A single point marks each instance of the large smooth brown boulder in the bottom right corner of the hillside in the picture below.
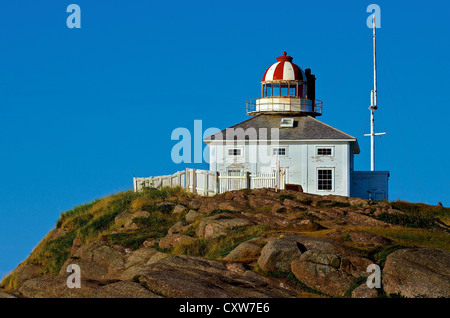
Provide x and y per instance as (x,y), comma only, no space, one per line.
(417,272)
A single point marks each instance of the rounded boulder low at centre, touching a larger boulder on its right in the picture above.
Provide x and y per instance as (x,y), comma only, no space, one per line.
(277,255)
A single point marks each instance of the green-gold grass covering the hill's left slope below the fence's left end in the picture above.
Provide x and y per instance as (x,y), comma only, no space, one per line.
(97,219)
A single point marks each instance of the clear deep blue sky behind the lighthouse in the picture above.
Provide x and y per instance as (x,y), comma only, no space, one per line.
(81,110)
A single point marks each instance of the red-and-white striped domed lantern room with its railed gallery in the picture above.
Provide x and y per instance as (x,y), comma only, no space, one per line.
(286,89)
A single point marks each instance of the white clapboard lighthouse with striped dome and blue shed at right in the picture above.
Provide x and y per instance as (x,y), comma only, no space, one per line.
(284,138)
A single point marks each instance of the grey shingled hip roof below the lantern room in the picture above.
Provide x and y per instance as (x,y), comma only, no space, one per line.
(305,128)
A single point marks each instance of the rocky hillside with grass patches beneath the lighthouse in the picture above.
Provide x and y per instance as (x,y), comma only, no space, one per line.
(248,243)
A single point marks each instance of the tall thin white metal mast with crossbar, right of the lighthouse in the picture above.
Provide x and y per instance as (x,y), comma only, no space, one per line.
(373,105)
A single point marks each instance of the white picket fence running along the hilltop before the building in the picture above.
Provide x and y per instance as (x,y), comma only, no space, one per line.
(207,183)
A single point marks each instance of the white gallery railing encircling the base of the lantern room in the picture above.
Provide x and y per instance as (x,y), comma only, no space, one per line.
(284,104)
